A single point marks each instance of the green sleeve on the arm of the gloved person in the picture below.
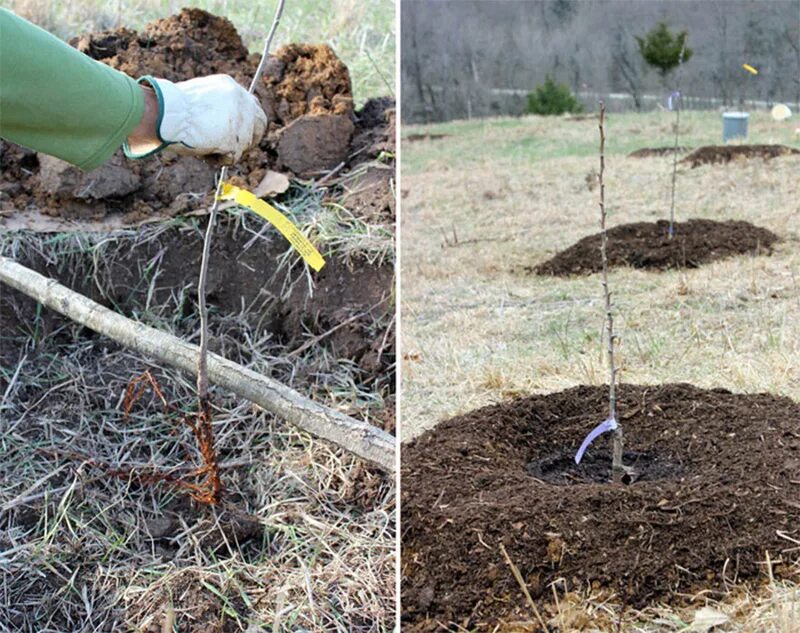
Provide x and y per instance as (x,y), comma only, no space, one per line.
(56,100)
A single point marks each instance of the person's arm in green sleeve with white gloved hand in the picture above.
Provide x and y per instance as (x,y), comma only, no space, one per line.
(58,101)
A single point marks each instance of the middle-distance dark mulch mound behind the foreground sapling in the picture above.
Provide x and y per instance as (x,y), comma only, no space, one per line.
(647,245)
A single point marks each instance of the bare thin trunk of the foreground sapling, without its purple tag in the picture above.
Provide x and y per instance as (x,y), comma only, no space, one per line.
(617,470)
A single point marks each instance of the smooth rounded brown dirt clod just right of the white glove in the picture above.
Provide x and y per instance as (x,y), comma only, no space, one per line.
(314,142)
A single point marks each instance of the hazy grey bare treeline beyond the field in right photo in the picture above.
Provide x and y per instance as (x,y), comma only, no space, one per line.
(476,58)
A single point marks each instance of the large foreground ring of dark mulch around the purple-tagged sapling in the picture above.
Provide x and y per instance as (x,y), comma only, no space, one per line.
(717,484)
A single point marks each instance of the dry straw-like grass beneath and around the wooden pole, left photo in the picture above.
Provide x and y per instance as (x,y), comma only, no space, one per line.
(304,540)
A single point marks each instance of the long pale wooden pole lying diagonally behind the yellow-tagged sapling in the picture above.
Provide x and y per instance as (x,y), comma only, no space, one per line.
(362,439)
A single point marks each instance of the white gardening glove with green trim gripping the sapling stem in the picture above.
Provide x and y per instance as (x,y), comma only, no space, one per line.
(204,116)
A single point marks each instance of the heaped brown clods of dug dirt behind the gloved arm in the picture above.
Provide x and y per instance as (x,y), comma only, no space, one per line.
(305,91)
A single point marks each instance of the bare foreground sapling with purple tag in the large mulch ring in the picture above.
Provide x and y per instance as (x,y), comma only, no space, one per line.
(610,423)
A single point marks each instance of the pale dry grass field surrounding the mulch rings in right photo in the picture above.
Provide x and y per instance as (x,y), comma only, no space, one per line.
(499,195)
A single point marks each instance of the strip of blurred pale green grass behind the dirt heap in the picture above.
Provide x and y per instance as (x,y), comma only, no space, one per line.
(362,32)
